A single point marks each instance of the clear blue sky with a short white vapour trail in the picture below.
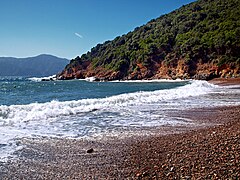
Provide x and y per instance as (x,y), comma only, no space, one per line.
(69,28)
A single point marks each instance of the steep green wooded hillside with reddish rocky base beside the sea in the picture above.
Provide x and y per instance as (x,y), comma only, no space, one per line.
(200,40)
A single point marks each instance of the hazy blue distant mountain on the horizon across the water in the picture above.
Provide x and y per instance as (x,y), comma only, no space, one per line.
(42,65)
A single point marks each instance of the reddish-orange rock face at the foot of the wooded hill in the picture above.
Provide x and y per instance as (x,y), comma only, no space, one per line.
(179,68)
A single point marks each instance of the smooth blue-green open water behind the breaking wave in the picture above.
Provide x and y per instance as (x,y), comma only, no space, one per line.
(21,90)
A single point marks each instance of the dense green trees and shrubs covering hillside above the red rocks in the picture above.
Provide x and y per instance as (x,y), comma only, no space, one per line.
(206,31)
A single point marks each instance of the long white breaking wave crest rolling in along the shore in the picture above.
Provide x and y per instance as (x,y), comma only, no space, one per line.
(53,109)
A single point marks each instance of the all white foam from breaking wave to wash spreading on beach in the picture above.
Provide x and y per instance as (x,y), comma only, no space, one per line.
(95,116)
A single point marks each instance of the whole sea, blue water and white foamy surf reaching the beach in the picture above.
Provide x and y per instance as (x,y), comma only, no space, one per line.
(31,108)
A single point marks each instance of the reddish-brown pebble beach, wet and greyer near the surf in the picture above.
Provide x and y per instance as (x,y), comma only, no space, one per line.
(208,151)
